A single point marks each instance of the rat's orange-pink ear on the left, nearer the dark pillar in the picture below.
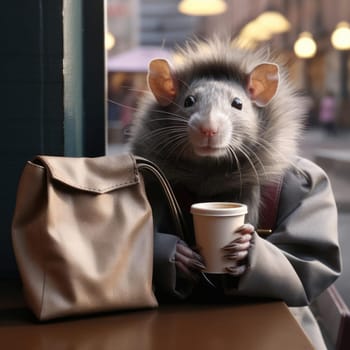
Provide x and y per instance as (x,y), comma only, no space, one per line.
(161,81)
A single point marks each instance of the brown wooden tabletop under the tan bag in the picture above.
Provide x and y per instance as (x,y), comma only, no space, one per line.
(254,326)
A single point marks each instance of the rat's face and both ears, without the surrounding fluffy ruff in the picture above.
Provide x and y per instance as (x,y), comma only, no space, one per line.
(216,103)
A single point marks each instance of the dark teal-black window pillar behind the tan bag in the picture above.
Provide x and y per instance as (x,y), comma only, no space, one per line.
(52,88)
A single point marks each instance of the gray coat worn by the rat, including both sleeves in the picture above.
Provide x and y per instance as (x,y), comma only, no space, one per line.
(297,262)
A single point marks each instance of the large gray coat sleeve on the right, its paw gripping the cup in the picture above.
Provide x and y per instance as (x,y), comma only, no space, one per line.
(301,258)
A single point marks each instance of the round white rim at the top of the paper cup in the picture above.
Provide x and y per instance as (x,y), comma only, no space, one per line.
(219,209)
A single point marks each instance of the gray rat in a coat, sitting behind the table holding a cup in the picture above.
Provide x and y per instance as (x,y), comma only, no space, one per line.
(222,123)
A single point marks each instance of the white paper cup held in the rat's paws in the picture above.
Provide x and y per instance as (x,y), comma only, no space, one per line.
(214,227)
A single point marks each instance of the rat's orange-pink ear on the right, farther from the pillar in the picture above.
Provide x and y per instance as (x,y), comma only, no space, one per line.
(263,83)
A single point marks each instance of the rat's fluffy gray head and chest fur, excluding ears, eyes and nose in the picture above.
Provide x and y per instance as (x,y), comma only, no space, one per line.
(263,140)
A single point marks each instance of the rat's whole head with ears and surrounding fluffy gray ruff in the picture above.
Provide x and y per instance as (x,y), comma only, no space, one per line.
(219,105)
